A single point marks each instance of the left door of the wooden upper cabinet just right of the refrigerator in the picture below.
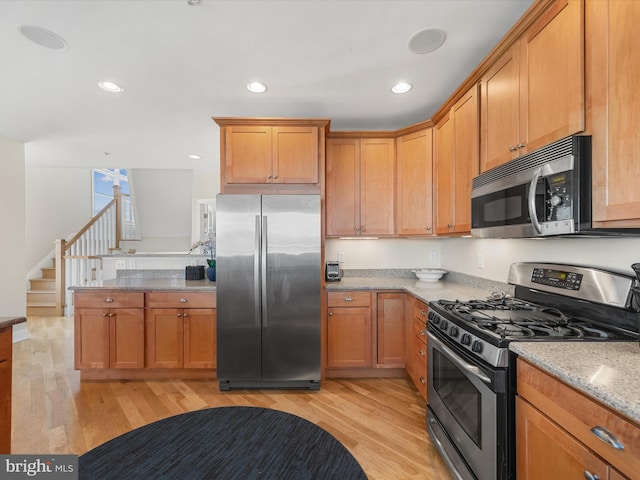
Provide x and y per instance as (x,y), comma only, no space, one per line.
(343,187)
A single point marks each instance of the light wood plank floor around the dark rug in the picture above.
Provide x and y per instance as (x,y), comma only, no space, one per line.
(381,421)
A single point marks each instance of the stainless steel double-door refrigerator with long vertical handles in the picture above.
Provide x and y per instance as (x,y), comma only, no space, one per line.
(268,281)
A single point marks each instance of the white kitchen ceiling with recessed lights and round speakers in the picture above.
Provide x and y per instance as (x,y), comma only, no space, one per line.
(180,65)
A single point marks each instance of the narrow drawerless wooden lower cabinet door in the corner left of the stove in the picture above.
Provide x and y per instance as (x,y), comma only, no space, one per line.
(391,329)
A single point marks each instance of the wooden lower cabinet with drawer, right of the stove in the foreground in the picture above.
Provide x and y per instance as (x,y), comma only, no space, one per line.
(554,432)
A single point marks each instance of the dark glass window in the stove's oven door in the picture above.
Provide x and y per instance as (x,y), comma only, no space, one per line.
(459,395)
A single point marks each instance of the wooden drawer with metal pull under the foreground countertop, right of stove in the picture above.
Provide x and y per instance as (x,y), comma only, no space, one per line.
(578,414)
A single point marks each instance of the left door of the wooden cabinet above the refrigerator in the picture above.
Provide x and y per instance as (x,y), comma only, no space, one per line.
(248,151)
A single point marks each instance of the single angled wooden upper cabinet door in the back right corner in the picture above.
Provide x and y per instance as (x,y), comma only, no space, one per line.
(414,163)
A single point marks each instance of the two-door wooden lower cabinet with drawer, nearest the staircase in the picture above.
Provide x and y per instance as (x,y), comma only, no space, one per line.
(111,336)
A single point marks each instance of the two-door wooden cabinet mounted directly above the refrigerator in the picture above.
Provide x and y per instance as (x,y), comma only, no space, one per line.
(273,155)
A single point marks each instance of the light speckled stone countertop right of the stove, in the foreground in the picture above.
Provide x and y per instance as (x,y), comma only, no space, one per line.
(607,371)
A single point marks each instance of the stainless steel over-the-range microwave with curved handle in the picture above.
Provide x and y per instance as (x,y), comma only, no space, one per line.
(543,193)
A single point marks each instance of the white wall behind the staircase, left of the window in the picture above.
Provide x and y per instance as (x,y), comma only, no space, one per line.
(58,203)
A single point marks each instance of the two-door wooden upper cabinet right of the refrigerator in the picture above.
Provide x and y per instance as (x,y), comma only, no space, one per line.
(360,186)
